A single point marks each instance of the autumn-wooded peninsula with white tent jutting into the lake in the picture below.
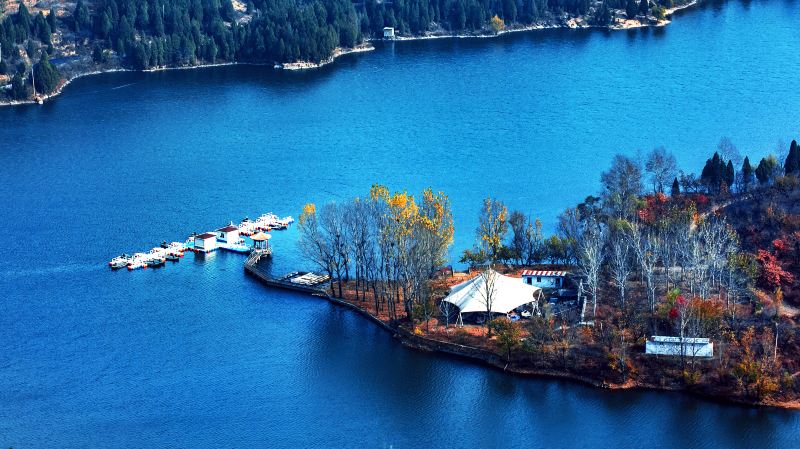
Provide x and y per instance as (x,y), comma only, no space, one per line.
(690,284)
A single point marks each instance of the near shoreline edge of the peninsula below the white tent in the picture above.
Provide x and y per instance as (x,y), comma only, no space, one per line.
(491,359)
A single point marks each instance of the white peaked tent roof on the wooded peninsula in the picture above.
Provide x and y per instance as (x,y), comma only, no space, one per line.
(508,293)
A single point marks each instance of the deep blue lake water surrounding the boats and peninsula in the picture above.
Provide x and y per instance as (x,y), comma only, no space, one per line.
(196,354)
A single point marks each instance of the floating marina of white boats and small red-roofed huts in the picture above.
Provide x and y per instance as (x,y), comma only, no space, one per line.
(244,238)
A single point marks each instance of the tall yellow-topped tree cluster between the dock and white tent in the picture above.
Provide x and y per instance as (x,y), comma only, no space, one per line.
(385,246)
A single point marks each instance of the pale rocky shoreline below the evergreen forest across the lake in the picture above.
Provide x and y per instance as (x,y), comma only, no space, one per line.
(365,46)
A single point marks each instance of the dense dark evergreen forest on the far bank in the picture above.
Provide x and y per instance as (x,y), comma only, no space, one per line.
(142,34)
